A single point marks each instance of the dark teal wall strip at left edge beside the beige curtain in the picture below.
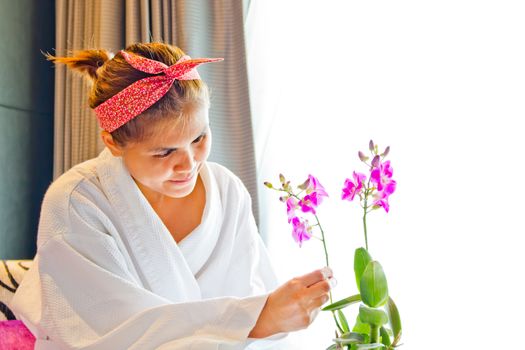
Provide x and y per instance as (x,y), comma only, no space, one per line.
(26,121)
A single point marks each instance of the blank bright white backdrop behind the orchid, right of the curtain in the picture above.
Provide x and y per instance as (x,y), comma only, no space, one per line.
(442,83)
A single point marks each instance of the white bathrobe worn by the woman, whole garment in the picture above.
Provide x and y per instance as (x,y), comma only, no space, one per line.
(108,274)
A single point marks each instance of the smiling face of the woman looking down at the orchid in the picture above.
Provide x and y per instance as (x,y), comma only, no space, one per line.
(168,163)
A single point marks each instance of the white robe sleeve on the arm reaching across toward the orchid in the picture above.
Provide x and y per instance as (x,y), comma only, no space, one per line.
(81,295)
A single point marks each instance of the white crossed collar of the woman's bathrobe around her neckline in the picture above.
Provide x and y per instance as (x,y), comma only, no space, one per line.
(165,268)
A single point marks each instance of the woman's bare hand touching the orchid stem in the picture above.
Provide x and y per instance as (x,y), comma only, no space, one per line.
(295,304)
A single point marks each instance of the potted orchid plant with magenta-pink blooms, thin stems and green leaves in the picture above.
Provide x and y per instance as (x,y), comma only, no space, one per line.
(378,324)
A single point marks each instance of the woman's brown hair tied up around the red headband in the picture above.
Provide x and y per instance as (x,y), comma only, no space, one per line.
(112,75)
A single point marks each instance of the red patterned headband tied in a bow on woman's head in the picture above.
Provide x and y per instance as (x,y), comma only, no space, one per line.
(142,94)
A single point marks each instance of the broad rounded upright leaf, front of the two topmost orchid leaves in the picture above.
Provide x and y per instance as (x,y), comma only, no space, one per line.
(374,288)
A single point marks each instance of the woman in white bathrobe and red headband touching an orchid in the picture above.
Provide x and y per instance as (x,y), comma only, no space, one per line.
(149,246)
